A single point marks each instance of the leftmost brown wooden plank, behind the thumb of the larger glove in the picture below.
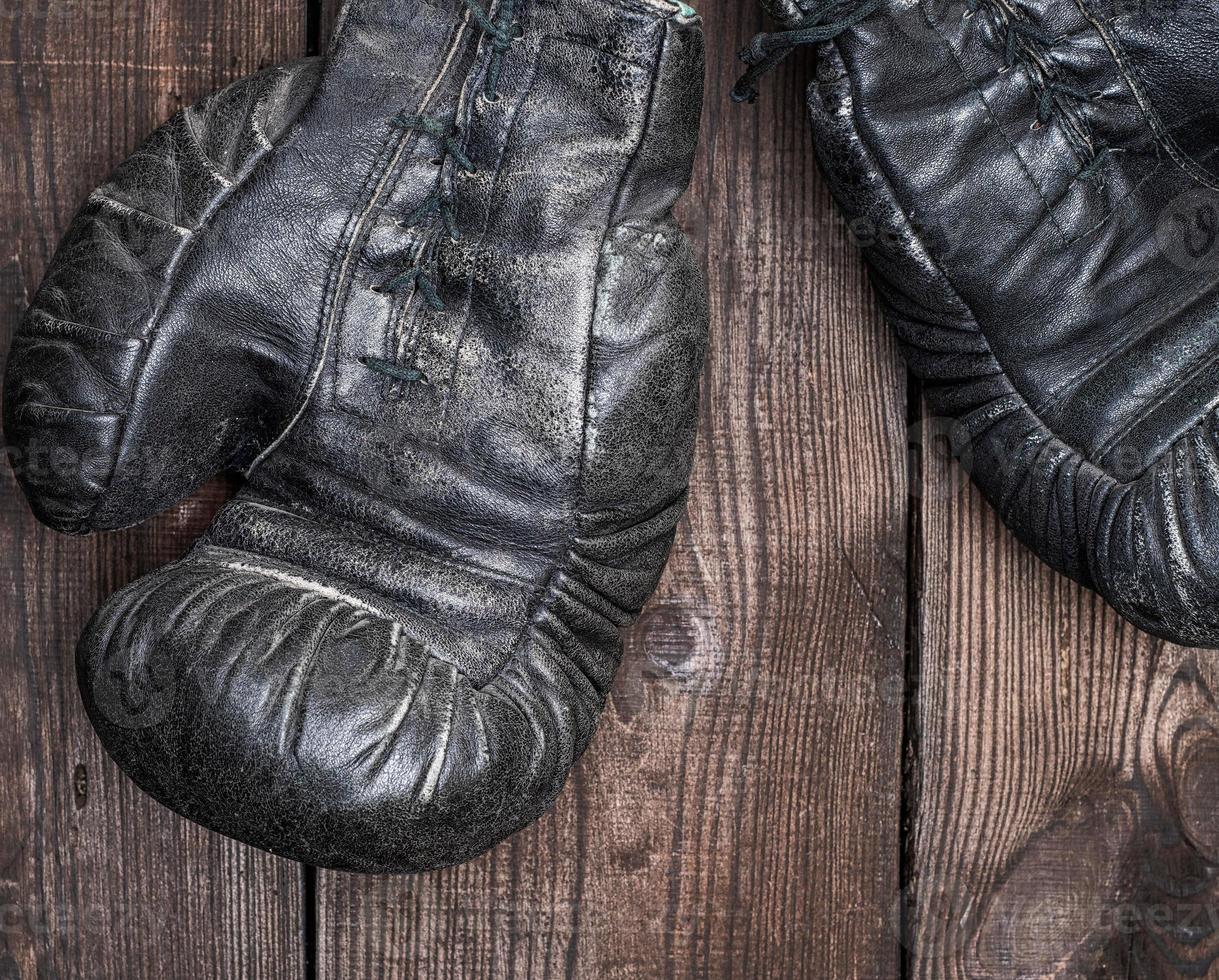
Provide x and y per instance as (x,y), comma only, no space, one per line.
(96,879)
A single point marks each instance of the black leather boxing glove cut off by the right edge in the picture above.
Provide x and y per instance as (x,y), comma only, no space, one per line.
(1037,188)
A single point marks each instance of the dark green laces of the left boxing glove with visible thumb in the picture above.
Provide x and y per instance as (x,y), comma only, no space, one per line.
(442,203)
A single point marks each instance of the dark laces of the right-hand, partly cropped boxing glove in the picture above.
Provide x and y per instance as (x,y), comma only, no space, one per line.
(836,18)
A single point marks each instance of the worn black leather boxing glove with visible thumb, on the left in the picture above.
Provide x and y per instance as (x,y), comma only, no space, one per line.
(430,296)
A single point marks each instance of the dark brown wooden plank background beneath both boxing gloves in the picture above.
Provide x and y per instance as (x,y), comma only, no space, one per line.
(859,733)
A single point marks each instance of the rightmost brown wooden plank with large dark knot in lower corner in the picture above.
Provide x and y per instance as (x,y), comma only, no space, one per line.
(1068,770)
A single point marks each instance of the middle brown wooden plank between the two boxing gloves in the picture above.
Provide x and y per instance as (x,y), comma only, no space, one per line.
(739,811)
